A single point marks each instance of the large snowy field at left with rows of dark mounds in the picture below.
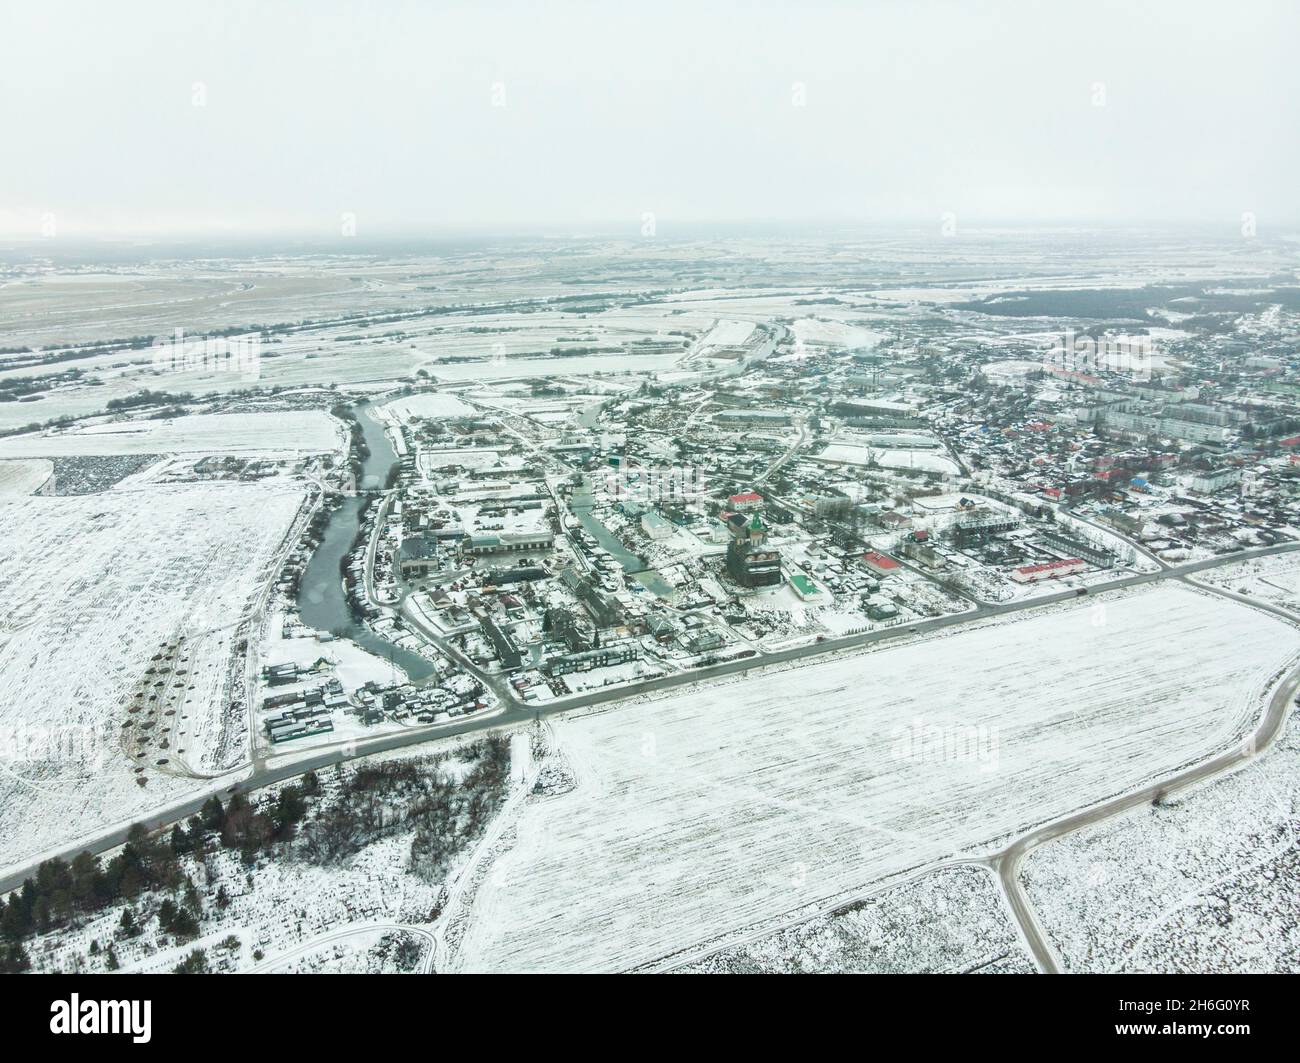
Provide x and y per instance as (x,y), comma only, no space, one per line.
(98,589)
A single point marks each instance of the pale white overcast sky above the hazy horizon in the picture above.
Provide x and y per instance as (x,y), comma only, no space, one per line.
(421,118)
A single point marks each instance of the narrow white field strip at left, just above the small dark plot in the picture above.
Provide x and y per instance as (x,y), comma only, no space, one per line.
(311,432)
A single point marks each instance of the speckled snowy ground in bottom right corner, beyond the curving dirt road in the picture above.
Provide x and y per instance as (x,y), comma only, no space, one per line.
(1208,882)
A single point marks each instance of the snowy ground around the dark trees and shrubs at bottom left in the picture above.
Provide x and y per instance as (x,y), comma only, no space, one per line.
(288,910)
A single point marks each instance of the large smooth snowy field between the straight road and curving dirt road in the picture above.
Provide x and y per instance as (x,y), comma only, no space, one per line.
(713,810)
